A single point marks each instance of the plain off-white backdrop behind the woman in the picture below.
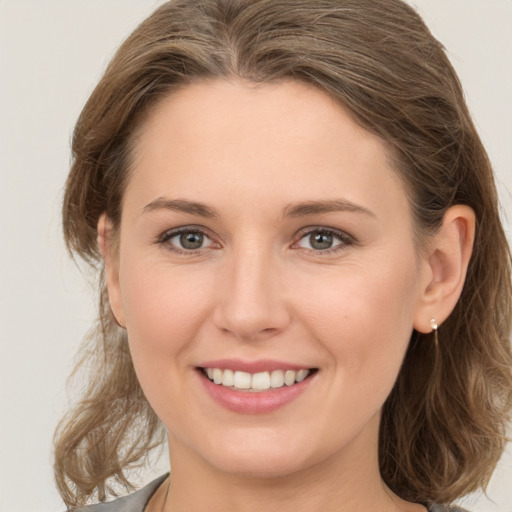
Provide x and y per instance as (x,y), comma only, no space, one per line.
(51,54)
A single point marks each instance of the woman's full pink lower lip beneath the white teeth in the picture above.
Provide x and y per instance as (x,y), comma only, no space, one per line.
(257,402)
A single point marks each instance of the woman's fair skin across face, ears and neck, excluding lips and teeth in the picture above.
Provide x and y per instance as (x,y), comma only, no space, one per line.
(258,289)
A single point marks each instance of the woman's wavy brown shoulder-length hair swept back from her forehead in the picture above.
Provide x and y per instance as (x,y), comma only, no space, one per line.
(443,426)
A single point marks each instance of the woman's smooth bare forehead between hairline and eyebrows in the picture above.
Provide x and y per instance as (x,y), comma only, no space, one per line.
(289,141)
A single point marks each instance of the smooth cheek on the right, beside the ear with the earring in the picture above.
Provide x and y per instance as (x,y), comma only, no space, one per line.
(363,315)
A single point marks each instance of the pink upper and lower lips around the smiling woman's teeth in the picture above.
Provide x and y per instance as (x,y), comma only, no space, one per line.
(247,402)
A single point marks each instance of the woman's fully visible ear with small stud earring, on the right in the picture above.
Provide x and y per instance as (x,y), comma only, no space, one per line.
(445,265)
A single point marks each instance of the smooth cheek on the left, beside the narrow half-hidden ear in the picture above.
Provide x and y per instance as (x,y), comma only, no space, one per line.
(164,310)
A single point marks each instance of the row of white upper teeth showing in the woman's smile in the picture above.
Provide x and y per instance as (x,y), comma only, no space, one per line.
(257,381)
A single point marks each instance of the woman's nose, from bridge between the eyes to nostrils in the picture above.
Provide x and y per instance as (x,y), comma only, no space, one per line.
(251,303)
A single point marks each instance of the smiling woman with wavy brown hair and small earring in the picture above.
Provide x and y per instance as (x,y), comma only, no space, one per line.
(297,233)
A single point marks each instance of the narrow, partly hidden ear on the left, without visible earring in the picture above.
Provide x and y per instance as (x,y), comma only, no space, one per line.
(108,248)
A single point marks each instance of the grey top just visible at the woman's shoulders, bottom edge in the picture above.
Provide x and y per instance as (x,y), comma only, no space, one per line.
(137,501)
